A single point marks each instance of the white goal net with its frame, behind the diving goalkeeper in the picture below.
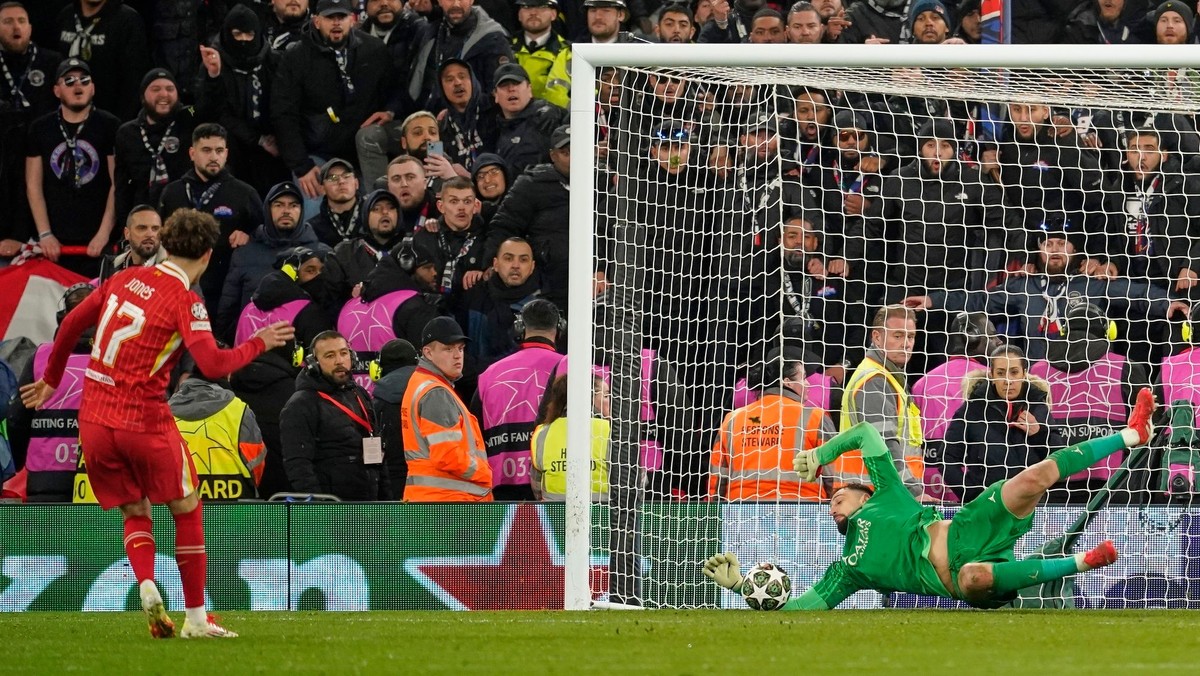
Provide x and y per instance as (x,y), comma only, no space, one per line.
(748,222)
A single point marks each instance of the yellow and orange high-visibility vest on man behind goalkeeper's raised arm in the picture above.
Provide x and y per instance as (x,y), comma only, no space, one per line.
(849,466)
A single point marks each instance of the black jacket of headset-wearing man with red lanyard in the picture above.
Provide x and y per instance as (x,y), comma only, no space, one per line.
(323,447)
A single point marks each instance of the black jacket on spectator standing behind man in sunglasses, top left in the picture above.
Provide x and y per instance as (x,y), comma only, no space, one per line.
(119,56)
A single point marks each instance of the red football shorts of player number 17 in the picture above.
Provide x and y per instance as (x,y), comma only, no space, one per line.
(125,466)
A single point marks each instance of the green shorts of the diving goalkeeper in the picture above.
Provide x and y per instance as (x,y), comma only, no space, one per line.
(985,531)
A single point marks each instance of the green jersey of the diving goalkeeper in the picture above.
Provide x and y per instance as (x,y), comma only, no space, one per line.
(887,540)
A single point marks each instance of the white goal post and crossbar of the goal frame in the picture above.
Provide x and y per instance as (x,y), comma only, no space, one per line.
(1017,77)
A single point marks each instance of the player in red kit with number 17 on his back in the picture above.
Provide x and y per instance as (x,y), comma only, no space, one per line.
(135,454)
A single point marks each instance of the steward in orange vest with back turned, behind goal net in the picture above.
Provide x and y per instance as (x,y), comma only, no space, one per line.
(757,444)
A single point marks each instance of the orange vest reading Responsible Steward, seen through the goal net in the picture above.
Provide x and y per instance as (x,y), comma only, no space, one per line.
(757,446)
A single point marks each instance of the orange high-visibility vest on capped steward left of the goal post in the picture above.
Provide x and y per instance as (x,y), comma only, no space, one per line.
(445,464)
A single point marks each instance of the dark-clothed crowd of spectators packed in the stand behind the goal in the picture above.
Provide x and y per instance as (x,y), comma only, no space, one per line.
(416,158)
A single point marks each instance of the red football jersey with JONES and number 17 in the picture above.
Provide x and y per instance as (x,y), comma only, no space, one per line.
(143,316)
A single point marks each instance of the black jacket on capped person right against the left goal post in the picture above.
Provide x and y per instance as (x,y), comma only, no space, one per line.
(537,210)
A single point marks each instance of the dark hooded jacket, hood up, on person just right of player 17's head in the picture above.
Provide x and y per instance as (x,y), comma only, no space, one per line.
(257,258)
